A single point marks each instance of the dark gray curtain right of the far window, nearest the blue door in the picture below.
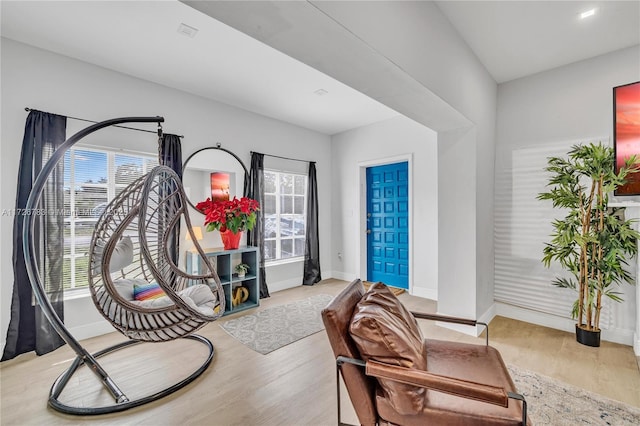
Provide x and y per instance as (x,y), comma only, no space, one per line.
(312,243)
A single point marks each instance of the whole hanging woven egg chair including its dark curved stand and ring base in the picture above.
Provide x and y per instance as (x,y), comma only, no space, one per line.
(130,249)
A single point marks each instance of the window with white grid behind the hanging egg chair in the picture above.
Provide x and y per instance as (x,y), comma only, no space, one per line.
(92,178)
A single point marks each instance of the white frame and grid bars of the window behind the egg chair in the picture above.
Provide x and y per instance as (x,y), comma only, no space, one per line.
(71,216)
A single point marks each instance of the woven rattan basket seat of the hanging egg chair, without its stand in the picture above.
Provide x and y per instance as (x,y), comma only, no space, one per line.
(132,236)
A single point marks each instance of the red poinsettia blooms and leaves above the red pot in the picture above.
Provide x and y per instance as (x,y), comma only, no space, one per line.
(235,215)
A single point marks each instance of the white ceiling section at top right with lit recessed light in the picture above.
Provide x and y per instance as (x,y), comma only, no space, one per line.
(514,39)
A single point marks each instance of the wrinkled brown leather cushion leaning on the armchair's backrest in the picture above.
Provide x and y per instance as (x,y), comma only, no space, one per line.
(383,330)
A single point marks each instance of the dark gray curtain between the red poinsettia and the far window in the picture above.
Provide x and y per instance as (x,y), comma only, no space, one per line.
(256,237)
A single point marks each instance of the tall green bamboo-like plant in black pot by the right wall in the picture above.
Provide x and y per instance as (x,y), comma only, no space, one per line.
(593,241)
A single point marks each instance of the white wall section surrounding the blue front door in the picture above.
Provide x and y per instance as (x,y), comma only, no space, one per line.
(391,138)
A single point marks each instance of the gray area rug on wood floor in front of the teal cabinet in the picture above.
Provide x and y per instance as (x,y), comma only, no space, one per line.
(275,327)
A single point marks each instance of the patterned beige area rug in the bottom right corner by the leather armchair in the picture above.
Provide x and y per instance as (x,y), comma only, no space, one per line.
(551,402)
